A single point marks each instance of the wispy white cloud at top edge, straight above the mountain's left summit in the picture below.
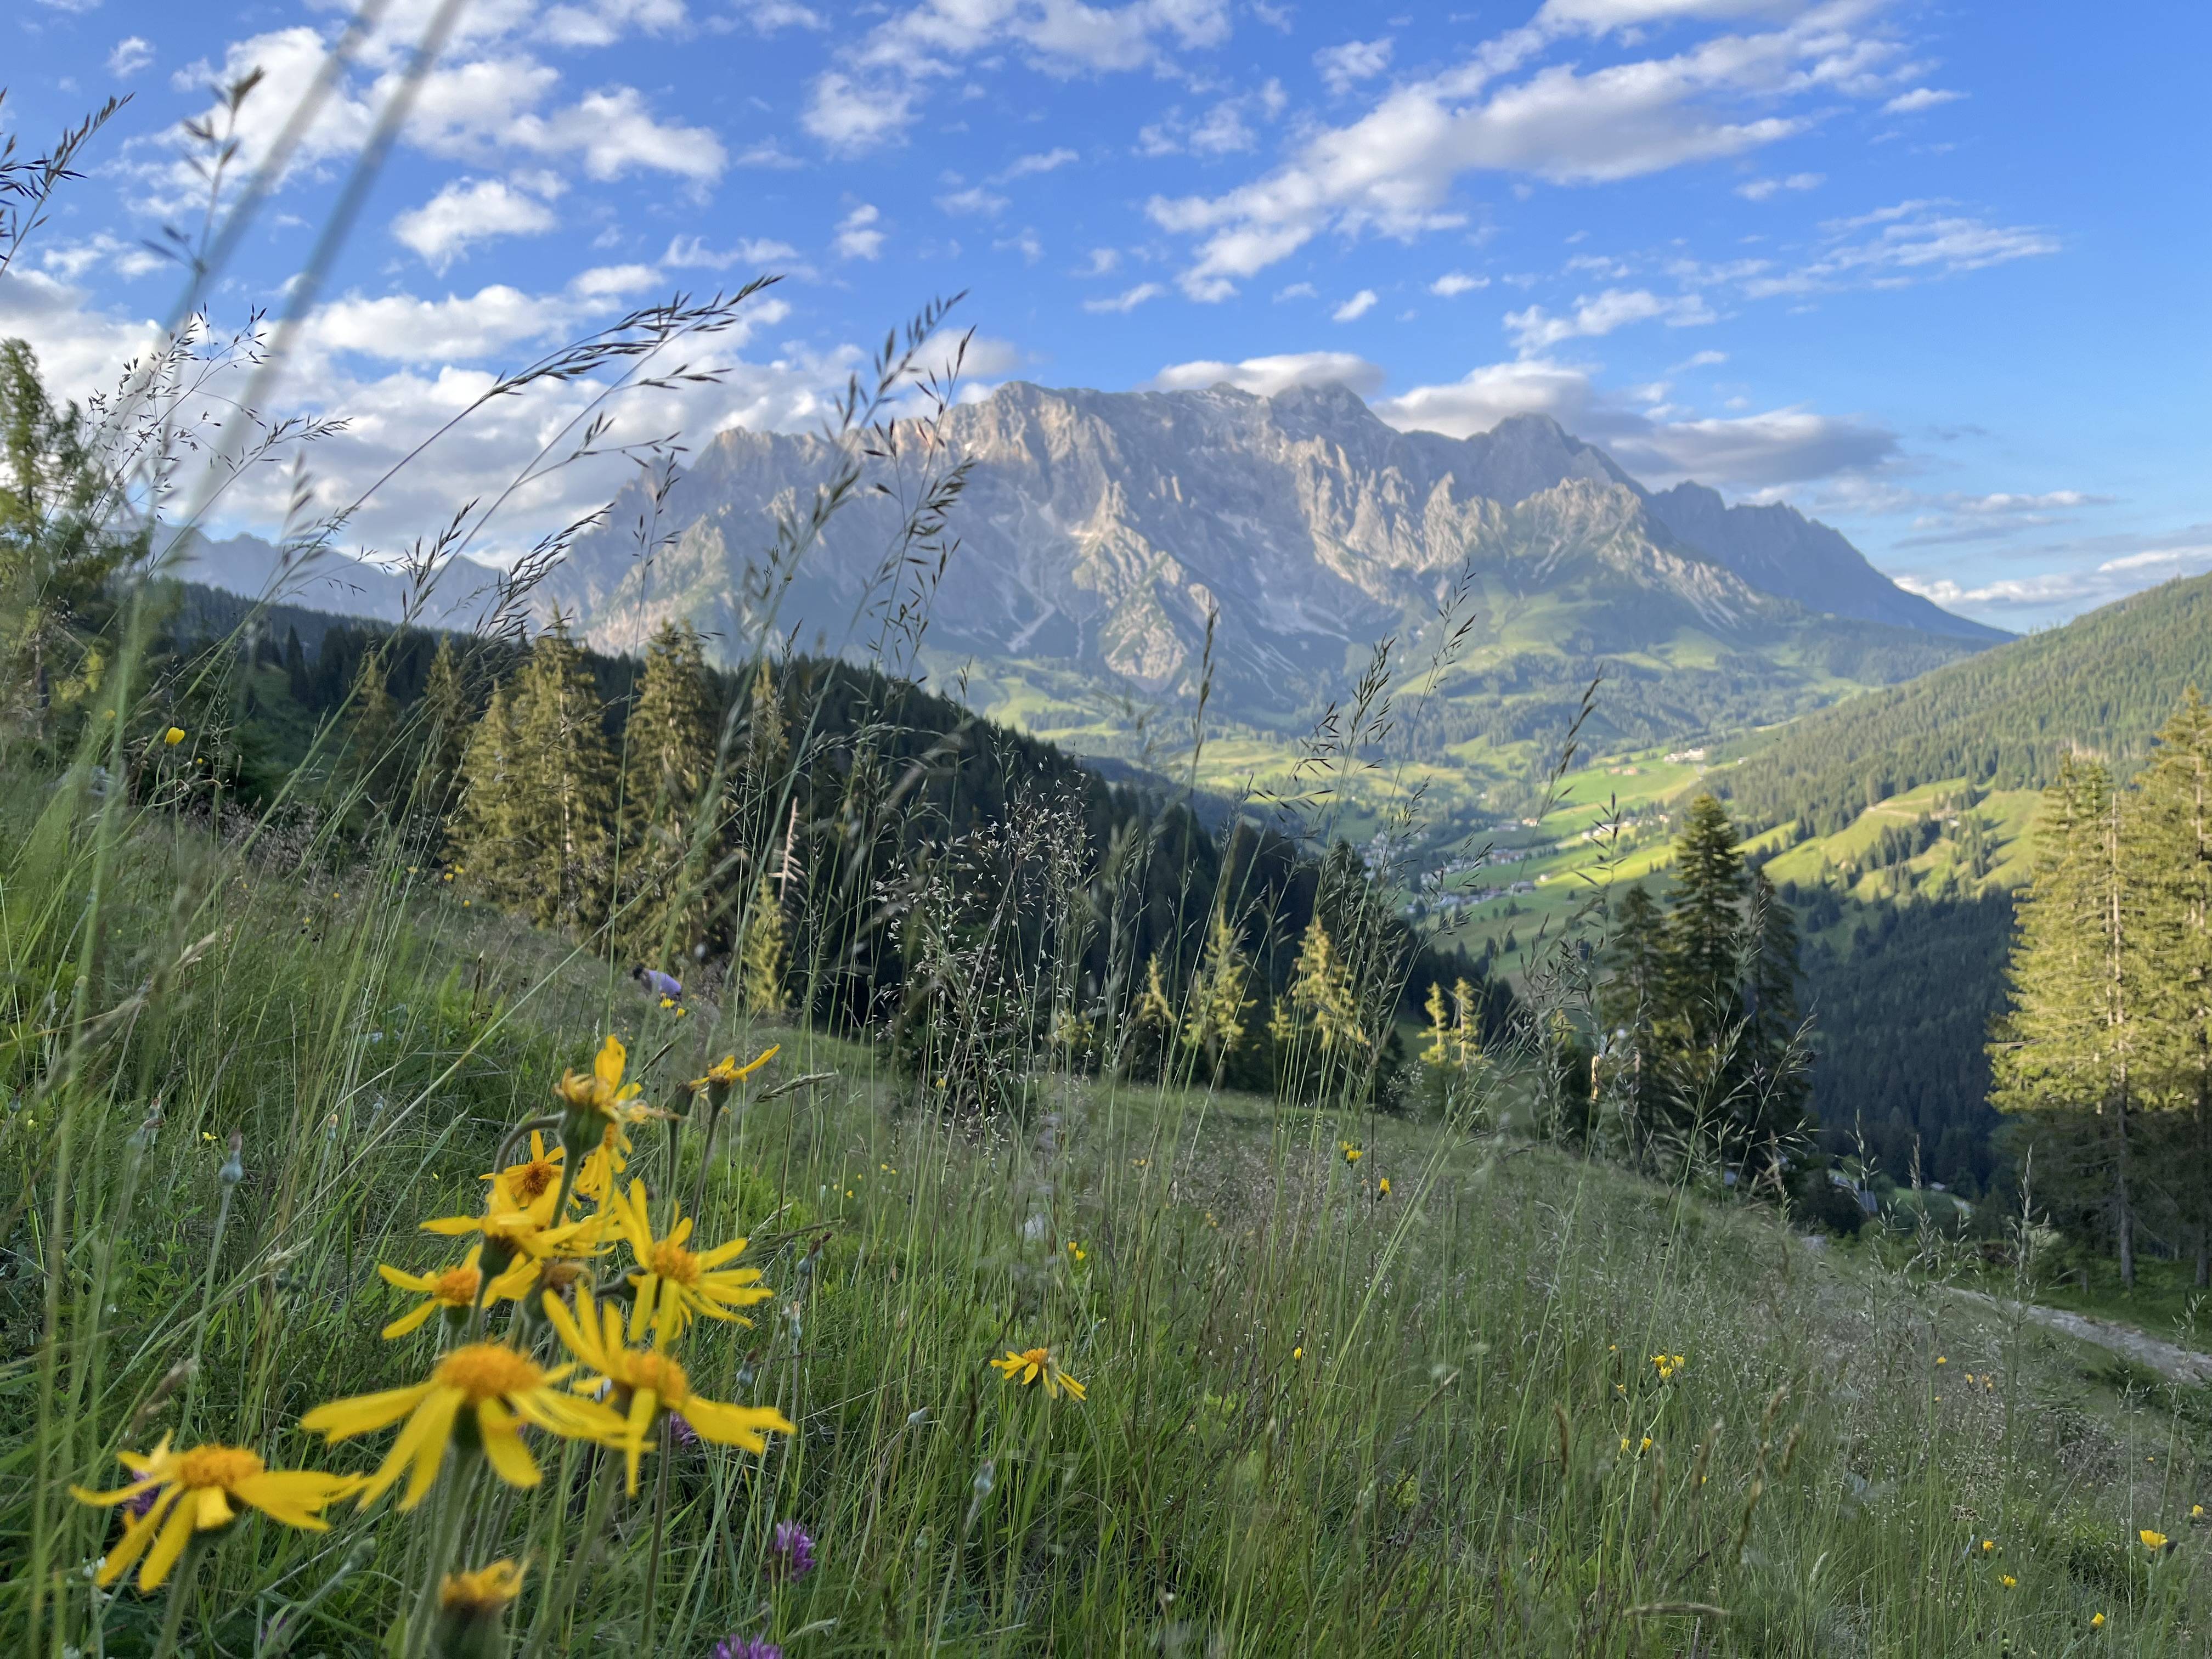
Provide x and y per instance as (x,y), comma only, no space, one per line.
(884,79)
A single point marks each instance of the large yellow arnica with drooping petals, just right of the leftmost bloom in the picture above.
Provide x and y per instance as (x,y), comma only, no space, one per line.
(499,1388)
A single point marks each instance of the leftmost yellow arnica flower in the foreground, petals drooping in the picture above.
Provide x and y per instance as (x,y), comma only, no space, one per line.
(194,1494)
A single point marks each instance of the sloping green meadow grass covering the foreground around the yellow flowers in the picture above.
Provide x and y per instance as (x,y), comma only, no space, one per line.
(1523,1404)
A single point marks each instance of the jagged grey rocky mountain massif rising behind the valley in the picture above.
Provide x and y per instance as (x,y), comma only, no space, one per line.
(1100,532)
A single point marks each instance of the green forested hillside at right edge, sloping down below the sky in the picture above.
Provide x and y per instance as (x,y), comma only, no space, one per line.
(2005,718)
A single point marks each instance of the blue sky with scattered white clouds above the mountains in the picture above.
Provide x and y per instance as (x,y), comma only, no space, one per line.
(1932,273)
